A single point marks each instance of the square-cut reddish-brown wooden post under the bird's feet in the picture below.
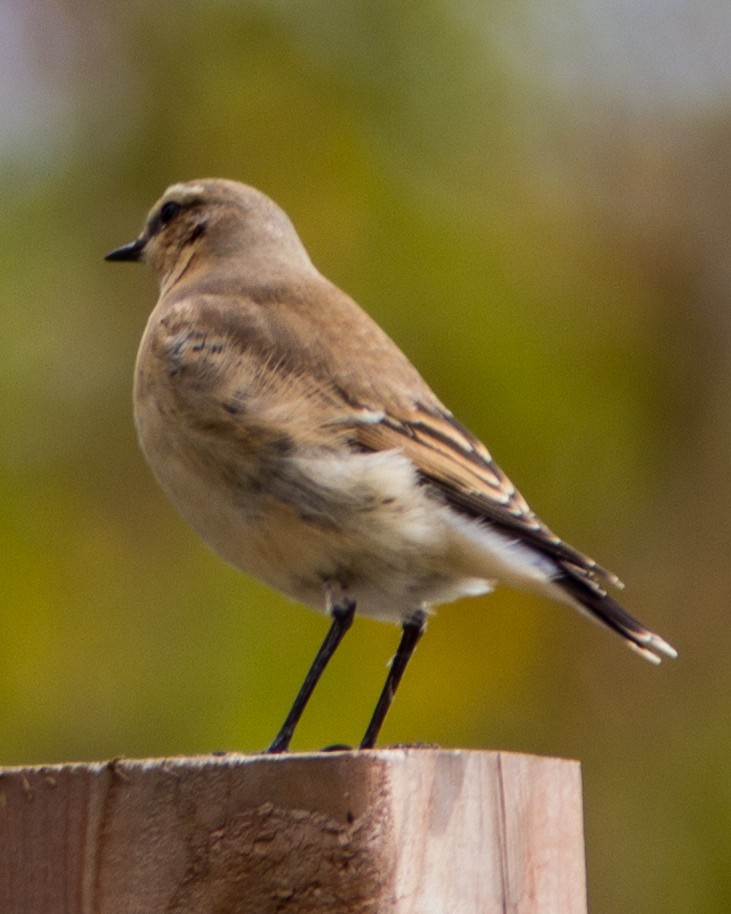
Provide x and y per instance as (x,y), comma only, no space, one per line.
(396,831)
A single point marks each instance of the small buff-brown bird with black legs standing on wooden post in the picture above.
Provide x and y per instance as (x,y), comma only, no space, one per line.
(306,449)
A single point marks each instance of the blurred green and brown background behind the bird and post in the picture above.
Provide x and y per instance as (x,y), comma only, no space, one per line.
(533,198)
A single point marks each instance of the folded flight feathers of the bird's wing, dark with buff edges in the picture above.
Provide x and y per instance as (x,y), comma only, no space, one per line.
(462,470)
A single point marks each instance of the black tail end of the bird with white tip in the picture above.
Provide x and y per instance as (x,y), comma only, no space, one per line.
(596,602)
